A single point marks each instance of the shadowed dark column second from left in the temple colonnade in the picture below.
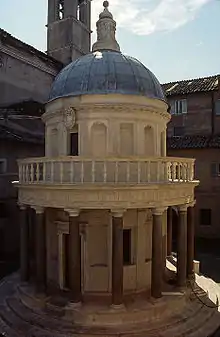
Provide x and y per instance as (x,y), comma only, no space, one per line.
(40,249)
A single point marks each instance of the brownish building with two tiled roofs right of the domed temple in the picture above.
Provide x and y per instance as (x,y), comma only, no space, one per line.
(194,131)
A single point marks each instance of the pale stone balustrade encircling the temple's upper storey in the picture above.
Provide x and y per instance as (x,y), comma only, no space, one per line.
(79,170)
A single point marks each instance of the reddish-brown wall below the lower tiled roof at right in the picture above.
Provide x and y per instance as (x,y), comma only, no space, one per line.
(207,194)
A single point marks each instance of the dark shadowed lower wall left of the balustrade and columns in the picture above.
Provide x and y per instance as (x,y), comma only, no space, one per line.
(9,216)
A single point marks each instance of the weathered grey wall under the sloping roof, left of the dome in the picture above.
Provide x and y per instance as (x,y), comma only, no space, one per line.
(23,76)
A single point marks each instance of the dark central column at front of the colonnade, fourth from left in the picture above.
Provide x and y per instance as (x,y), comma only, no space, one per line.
(117,257)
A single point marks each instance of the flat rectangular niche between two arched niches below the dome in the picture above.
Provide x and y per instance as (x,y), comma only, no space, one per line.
(127,139)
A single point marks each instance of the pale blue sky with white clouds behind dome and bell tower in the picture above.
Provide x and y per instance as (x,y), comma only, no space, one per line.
(176,39)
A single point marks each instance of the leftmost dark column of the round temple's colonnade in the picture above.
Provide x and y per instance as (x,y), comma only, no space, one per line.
(23,244)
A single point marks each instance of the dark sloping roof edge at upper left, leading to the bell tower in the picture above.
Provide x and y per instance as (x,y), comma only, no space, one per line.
(5,36)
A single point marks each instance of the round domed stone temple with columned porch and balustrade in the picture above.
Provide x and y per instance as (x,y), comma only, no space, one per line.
(103,198)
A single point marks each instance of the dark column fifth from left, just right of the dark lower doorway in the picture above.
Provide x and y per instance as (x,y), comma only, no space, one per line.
(157,268)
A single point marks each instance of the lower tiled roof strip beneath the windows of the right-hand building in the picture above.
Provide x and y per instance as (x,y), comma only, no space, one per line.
(194,142)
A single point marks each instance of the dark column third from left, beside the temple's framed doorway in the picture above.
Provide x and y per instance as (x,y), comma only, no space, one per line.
(74,256)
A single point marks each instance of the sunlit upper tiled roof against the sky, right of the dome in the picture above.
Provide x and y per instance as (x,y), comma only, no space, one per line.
(190,86)
